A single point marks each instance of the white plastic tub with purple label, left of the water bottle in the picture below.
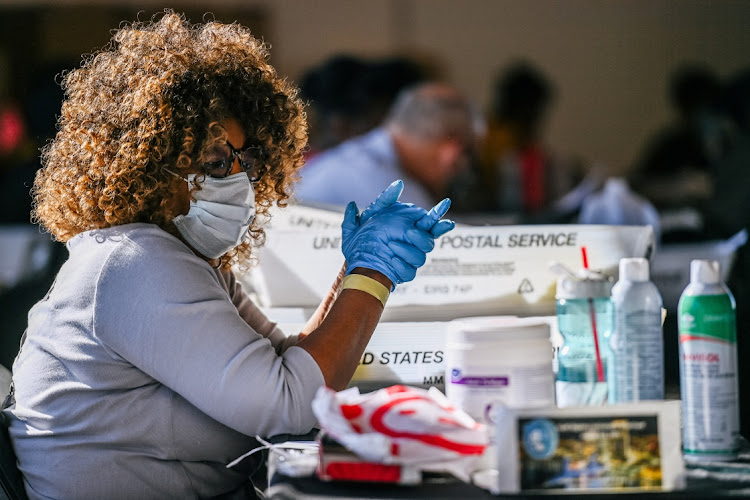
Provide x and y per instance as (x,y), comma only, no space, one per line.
(498,360)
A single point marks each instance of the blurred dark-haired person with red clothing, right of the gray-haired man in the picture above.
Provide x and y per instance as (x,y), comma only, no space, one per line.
(519,174)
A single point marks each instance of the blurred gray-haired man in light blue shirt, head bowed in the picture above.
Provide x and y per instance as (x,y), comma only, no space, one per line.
(428,139)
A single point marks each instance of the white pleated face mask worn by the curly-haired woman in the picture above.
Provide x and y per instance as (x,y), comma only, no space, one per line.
(219,216)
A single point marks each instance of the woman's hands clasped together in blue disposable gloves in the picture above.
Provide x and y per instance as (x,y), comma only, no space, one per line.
(390,236)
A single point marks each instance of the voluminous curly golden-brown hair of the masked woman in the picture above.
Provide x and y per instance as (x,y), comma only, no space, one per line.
(148,103)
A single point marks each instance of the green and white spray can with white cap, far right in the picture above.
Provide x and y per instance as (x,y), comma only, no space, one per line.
(708,366)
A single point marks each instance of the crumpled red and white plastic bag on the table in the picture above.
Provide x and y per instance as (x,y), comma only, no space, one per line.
(403,425)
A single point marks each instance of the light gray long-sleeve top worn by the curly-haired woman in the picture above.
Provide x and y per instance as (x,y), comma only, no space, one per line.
(145,371)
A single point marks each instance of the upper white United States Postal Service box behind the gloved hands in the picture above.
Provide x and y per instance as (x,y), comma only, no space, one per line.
(473,270)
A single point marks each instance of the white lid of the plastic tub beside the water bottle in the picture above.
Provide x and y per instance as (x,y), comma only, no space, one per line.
(497,329)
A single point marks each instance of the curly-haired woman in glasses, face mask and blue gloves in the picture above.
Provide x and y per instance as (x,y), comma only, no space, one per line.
(146,368)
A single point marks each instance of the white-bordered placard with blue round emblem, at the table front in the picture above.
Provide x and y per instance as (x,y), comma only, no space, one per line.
(612,448)
